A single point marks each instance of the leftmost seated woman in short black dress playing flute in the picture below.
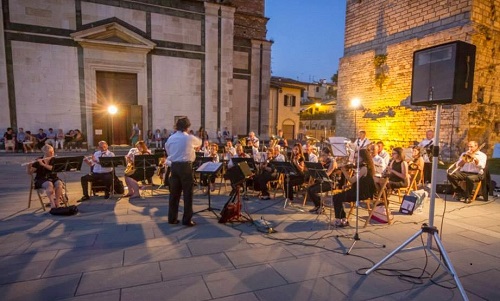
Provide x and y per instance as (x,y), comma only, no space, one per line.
(45,178)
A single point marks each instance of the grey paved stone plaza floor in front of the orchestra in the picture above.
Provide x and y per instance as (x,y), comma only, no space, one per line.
(121,249)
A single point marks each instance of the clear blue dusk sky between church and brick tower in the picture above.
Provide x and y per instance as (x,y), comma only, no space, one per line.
(308,37)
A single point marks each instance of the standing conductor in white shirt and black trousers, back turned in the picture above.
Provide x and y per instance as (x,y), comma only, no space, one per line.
(180,149)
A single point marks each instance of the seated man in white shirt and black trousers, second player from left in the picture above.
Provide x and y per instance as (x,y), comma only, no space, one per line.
(98,173)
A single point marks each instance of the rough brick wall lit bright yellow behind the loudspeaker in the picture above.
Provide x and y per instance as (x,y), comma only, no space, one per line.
(381,37)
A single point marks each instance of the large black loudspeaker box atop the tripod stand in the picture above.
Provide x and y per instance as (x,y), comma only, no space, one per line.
(443,74)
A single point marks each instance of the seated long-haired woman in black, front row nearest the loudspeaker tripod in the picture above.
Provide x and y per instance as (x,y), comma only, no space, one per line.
(366,187)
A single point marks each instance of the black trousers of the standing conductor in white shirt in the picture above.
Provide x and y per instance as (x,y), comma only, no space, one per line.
(181,182)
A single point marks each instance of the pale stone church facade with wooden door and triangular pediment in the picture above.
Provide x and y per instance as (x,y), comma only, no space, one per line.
(62,63)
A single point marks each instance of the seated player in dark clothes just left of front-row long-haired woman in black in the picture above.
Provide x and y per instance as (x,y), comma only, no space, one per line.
(313,191)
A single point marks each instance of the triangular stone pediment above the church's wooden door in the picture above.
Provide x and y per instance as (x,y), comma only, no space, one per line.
(112,35)
